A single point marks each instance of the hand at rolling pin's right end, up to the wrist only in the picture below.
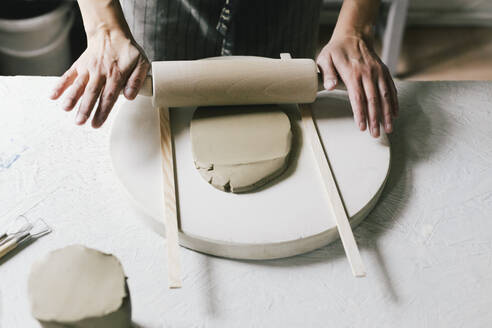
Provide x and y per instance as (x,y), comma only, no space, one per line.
(349,57)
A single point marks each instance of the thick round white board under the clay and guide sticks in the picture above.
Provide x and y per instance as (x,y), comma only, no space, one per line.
(289,216)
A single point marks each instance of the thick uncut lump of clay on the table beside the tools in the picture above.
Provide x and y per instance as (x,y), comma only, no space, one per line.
(79,287)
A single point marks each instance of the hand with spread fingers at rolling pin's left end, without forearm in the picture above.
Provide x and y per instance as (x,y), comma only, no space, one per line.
(112,62)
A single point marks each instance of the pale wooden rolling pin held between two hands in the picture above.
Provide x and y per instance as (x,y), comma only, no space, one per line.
(232,82)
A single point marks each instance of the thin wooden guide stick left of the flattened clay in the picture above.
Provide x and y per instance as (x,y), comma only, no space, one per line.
(170,211)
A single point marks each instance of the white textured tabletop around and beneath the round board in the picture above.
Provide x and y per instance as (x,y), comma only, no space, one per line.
(427,245)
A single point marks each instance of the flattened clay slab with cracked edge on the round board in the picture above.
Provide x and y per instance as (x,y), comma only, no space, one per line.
(240,148)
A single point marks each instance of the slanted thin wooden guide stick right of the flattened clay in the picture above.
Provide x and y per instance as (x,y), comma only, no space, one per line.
(337,207)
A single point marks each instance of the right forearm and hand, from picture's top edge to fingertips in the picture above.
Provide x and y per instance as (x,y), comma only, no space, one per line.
(350,57)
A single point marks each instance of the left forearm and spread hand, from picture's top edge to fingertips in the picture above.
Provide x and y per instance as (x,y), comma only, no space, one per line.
(112,62)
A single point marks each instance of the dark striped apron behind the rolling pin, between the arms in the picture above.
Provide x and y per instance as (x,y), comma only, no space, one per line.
(194,29)
